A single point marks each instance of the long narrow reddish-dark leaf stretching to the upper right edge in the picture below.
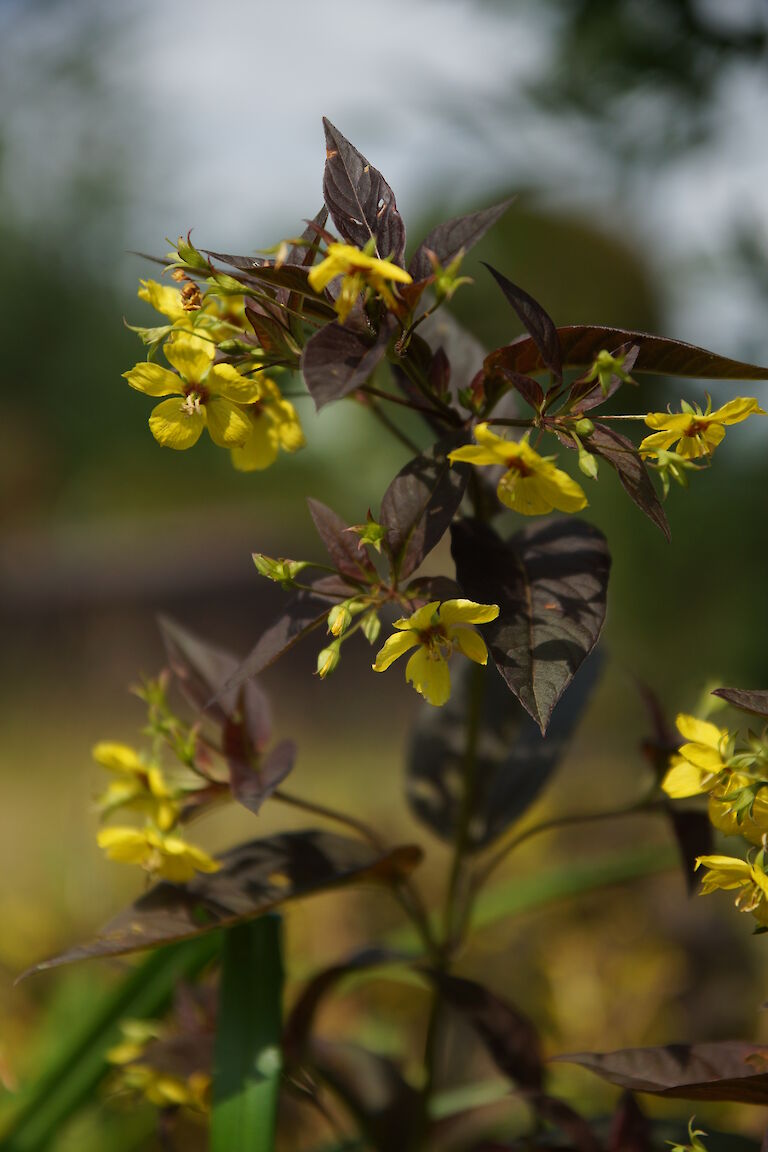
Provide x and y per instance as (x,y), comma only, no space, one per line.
(580,344)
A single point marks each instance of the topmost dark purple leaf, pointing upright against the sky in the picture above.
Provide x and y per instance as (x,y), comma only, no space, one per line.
(361,202)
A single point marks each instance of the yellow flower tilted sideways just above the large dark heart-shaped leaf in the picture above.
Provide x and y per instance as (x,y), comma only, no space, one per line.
(531,486)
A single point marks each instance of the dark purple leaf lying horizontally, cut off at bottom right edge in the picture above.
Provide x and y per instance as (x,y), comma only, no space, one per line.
(725,1071)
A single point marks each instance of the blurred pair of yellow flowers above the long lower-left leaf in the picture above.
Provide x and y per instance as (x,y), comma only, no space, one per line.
(142,787)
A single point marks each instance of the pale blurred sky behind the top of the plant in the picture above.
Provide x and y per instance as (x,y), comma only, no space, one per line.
(197,116)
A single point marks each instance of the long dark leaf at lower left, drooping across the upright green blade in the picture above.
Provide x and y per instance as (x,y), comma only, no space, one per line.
(255,878)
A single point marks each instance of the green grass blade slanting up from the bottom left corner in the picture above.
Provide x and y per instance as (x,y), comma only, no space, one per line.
(80,1067)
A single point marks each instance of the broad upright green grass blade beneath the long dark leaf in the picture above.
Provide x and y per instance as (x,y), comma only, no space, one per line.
(248,1058)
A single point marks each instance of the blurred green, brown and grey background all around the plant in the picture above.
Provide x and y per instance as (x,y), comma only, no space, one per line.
(634,133)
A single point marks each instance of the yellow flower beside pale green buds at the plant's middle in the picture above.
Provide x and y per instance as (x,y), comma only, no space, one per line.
(436,630)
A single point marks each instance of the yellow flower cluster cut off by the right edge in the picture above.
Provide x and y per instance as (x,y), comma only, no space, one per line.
(708,763)
